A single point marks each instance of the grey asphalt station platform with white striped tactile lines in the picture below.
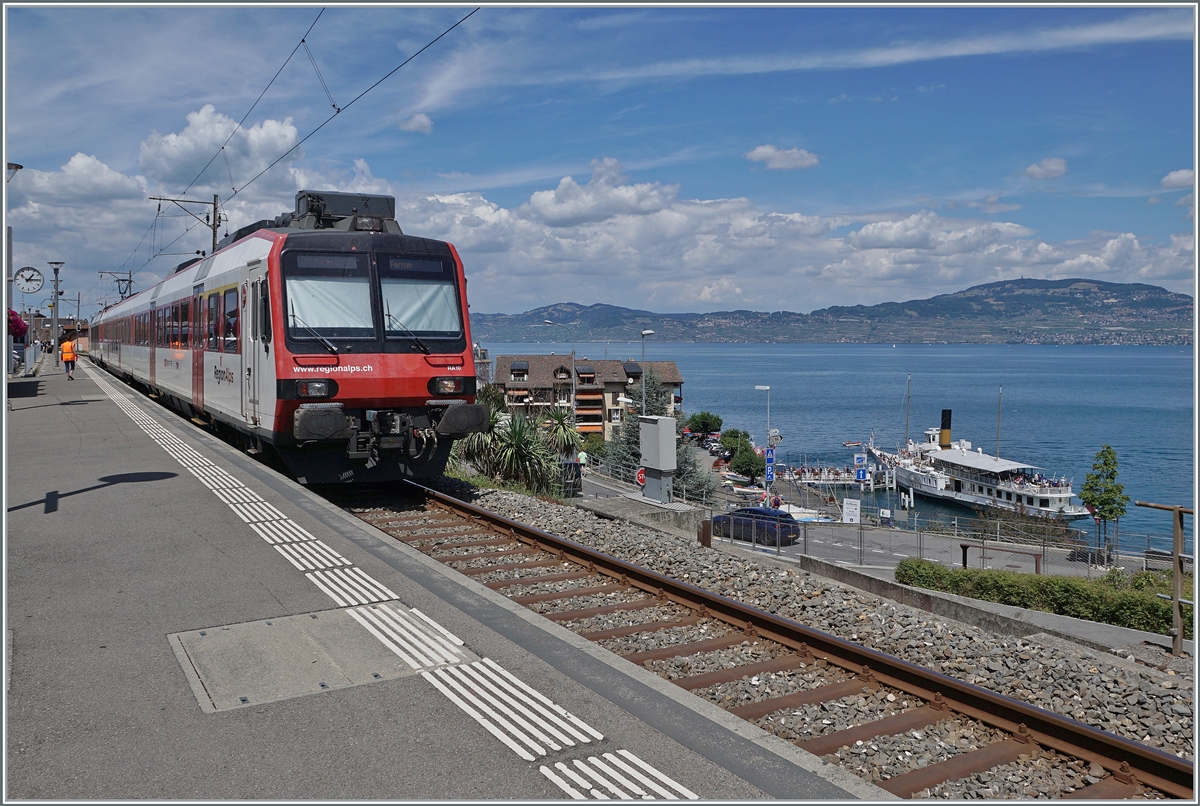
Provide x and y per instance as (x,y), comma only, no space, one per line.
(183,623)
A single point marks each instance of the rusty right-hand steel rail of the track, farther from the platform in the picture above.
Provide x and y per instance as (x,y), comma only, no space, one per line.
(1154,768)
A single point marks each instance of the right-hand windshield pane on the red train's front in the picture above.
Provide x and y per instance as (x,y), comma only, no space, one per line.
(419,298)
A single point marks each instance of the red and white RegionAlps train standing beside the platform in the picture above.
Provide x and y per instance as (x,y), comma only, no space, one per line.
(327,334)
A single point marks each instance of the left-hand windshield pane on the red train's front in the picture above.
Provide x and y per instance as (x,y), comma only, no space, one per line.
(329,297)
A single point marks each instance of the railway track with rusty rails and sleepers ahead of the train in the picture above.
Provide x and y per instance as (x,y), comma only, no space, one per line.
(848,703)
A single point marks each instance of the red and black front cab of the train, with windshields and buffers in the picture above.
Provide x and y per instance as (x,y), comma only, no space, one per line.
(375,377)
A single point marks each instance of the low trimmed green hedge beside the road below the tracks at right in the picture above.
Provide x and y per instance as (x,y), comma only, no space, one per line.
(1082,599)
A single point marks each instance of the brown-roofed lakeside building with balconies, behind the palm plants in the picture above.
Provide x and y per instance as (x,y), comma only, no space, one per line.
(539,382)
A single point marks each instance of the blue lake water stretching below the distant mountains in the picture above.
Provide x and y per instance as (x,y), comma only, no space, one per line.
(1061,405)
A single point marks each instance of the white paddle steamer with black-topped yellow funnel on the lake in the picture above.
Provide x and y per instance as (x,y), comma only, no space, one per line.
(951,471)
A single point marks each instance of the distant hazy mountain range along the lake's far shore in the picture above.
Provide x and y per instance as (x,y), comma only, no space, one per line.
(1013,312)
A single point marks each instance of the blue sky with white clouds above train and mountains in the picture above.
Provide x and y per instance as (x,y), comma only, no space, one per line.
(669,159)
